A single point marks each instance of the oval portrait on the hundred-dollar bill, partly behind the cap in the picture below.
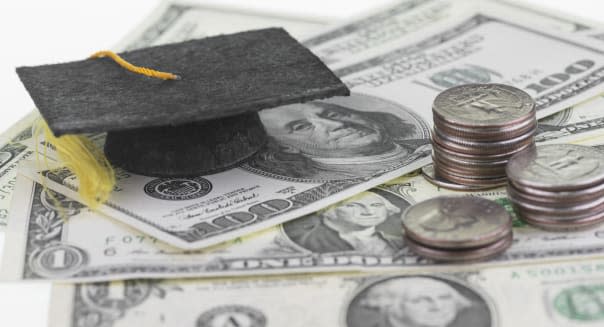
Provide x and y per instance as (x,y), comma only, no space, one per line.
(339,138)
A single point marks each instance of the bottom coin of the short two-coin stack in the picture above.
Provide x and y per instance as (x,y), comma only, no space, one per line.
(466,255)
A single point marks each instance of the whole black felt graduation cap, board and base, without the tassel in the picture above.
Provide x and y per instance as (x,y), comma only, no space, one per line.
(203,123)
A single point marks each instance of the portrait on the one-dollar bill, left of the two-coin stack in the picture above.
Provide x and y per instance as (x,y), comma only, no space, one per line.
(368,223)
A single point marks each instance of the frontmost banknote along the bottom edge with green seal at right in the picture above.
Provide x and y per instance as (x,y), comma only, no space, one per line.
(561,294)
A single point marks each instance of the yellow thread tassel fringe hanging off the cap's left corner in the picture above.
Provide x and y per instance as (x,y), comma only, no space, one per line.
(86,161)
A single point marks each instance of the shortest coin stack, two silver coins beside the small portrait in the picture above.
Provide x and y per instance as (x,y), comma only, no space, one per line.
(457,229)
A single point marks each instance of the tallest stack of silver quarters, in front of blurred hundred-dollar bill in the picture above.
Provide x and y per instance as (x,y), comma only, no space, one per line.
(477,129)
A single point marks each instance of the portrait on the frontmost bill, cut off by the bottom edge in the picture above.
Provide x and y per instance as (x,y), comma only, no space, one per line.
(418,301)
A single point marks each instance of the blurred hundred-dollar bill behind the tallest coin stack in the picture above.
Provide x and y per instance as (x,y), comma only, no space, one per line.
(486,46)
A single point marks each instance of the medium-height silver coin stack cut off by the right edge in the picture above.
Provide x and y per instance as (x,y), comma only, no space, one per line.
(558,186)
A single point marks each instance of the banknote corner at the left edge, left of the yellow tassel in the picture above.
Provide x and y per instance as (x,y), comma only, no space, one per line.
(13,150)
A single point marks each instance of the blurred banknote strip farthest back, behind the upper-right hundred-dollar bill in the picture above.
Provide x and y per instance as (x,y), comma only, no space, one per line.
(392,24)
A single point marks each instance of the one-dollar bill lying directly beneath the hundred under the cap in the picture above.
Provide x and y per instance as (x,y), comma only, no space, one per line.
(86,246)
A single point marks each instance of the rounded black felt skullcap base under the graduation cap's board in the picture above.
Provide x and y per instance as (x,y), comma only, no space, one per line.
(188,150)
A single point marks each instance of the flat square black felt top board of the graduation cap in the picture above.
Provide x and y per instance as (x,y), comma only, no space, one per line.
(222,76)
